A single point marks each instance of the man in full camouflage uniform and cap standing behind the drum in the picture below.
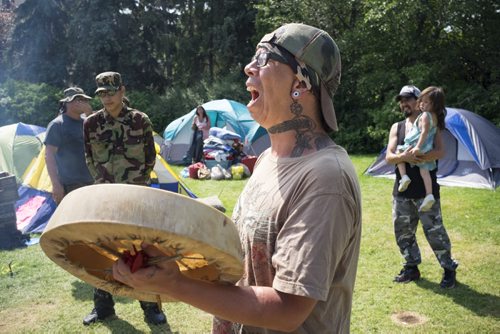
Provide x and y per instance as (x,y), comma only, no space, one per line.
(119,148)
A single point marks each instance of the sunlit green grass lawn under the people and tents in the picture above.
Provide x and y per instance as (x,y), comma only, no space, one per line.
(37,296)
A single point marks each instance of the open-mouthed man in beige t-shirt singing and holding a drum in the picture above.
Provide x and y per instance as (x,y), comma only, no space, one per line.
(299,215)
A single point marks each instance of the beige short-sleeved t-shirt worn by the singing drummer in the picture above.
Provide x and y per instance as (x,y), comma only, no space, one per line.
(299,221)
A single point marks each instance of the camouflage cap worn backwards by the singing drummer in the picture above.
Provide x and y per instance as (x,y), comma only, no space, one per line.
(315,48)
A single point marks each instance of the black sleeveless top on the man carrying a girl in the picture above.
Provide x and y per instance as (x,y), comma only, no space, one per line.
(416,189)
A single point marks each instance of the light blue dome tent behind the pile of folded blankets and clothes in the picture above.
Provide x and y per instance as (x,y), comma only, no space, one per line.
(222,113)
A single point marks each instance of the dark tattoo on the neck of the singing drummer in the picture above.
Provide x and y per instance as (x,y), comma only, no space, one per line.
(306,138)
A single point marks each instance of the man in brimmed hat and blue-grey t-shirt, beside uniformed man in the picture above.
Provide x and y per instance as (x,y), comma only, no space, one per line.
(64,151)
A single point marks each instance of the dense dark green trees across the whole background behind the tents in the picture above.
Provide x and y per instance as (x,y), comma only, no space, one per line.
(175,54)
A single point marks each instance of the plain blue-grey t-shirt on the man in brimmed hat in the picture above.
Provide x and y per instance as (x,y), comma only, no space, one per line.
(66,134)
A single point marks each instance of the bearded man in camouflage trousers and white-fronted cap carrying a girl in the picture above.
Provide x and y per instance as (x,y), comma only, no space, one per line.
(405,210)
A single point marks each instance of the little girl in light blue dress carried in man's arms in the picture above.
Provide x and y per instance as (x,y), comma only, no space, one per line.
(421,140)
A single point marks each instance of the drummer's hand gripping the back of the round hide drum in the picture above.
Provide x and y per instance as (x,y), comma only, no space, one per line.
(148,279)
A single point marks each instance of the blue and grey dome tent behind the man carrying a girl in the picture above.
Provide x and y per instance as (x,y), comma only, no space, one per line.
(472,159)
